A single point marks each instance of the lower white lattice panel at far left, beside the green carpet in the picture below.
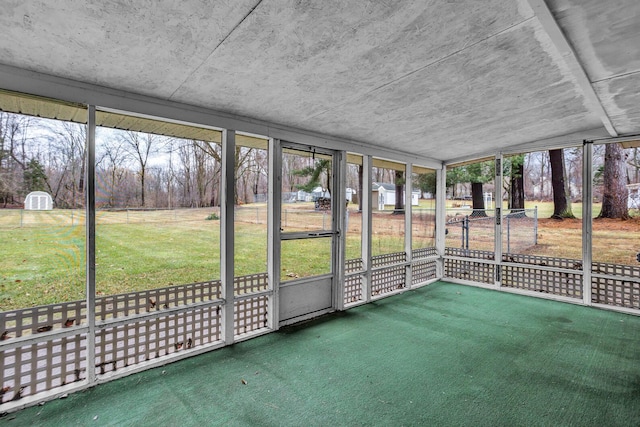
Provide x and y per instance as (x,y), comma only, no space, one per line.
(34,368)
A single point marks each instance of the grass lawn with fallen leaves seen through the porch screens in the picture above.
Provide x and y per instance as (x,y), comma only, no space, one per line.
(43,261)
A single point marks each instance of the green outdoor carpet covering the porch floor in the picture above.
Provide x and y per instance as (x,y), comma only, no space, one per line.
(442,355)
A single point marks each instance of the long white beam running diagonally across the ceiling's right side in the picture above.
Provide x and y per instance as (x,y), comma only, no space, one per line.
(553,30)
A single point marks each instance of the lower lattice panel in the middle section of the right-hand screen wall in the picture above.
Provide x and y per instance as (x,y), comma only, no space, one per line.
(541,280)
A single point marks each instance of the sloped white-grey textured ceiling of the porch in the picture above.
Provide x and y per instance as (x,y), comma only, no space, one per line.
(438,79)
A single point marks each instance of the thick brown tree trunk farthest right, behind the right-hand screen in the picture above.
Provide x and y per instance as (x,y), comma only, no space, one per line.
(615,192)
